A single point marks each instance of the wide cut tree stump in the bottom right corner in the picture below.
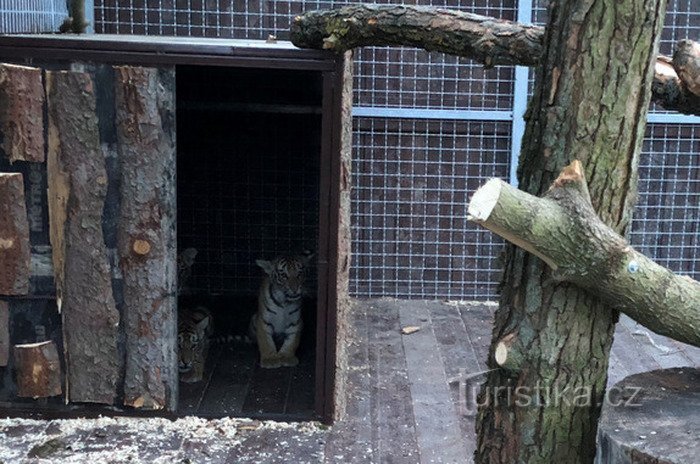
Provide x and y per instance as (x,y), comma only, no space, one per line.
(652,418)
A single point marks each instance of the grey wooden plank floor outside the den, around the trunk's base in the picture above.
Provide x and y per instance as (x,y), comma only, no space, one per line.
(401,405)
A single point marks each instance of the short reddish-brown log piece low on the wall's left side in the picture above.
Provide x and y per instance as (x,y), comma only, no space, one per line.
(38,370)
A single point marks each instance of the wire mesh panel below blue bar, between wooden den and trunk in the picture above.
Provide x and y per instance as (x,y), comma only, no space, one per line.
(411,237)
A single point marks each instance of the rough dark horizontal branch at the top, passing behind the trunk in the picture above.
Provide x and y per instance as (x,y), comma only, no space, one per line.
(488,40)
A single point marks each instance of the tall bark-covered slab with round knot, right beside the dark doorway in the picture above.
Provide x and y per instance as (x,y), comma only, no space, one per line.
(146,234)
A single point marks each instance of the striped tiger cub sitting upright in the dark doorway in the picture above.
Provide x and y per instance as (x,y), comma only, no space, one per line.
(277,325)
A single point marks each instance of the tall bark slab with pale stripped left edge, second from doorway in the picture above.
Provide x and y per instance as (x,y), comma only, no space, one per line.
(77,182)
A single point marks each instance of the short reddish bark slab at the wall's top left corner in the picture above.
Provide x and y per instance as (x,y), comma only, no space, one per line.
(22,113)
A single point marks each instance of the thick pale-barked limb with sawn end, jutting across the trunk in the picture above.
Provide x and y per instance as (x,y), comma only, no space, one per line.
(564,231)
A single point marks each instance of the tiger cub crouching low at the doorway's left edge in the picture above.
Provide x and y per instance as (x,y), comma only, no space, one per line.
(194,330)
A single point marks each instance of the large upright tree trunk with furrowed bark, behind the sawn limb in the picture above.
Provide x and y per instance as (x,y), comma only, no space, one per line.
(590,103)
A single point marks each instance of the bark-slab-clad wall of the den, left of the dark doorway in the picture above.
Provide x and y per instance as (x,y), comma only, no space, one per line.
(107,129)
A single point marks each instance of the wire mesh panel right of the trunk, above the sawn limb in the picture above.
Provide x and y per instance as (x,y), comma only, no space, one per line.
(666,226)
